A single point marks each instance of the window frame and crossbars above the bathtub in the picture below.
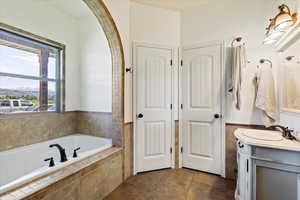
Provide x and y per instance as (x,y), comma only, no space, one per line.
(37,42)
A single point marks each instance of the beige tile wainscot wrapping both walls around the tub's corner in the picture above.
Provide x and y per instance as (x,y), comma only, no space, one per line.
(22,130)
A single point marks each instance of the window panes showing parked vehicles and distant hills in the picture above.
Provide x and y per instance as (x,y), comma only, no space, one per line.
(28,78)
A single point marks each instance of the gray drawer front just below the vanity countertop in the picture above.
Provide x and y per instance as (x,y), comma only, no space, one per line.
(277,155)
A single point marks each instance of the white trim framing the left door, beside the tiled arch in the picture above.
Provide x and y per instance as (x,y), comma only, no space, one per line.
(135,45)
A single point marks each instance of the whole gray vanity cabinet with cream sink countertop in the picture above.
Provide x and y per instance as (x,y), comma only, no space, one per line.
(268,166)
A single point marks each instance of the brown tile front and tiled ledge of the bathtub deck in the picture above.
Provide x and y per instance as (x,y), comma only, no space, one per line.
(90,179)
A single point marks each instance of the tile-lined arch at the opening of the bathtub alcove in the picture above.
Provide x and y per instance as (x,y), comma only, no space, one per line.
(118,64)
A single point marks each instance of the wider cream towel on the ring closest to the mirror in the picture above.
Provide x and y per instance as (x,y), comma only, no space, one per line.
(265,95)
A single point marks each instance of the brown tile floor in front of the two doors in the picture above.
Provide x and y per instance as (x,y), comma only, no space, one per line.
(174,184)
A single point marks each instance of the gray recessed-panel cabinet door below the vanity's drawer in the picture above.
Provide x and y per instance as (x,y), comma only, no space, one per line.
(275,181)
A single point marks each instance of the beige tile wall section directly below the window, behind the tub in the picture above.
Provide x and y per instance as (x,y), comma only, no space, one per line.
(22,130)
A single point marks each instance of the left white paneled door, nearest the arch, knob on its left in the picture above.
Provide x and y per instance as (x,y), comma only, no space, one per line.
(153,75)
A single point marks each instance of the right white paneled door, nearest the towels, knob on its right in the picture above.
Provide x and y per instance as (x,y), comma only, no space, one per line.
(201,109)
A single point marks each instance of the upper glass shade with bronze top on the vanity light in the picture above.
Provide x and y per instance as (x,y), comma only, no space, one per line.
(285,18)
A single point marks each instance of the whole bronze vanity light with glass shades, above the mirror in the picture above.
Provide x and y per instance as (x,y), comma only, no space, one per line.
(279,24)
